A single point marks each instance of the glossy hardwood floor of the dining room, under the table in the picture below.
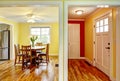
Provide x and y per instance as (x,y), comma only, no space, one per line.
(9,72)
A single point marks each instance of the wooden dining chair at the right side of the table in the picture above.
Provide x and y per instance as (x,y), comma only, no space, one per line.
(44,56)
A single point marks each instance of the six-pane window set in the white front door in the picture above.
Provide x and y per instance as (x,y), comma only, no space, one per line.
(102,25)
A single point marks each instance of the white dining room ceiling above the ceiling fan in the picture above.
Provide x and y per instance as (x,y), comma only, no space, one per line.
(42,13)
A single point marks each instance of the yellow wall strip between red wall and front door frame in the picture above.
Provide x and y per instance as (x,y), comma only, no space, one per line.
(89,38)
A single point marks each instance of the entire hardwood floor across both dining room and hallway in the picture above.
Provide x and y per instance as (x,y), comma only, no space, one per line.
(78,70)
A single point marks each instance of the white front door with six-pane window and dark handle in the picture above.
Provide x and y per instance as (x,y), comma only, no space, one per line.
(102,44)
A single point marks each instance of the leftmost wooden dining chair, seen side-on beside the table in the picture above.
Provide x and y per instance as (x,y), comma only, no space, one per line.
(18,54)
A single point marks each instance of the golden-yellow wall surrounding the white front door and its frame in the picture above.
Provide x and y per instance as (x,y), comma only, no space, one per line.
(89,36)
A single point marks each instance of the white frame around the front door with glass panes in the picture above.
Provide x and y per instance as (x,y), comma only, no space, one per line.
(110,31)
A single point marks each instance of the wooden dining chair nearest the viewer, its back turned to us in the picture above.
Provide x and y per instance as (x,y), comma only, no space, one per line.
(26,57)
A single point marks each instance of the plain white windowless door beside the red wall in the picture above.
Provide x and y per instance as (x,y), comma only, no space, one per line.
(74,41)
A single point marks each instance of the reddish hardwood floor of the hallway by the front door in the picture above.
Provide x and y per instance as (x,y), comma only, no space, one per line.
(79,70)
